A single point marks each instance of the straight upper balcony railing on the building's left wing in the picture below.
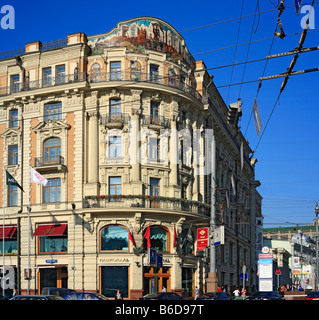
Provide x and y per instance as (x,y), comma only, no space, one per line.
(43,83)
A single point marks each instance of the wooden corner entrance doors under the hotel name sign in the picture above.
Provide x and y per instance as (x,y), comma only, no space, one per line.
(155,279)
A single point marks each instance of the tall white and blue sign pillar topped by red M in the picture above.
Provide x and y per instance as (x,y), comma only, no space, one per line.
(265,272)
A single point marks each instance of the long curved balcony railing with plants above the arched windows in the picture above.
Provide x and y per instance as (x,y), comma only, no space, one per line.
(146,202)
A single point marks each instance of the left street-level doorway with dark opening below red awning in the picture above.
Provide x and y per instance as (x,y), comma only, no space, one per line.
(56,277)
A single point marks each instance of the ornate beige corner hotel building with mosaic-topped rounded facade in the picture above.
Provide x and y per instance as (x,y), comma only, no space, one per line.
(119,123)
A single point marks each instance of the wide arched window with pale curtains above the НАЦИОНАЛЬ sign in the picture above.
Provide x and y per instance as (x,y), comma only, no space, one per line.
(114,238)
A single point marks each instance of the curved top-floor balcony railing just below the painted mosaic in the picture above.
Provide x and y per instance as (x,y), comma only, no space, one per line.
(144,77)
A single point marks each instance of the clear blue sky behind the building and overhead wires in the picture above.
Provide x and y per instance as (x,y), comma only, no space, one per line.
(288,154)
